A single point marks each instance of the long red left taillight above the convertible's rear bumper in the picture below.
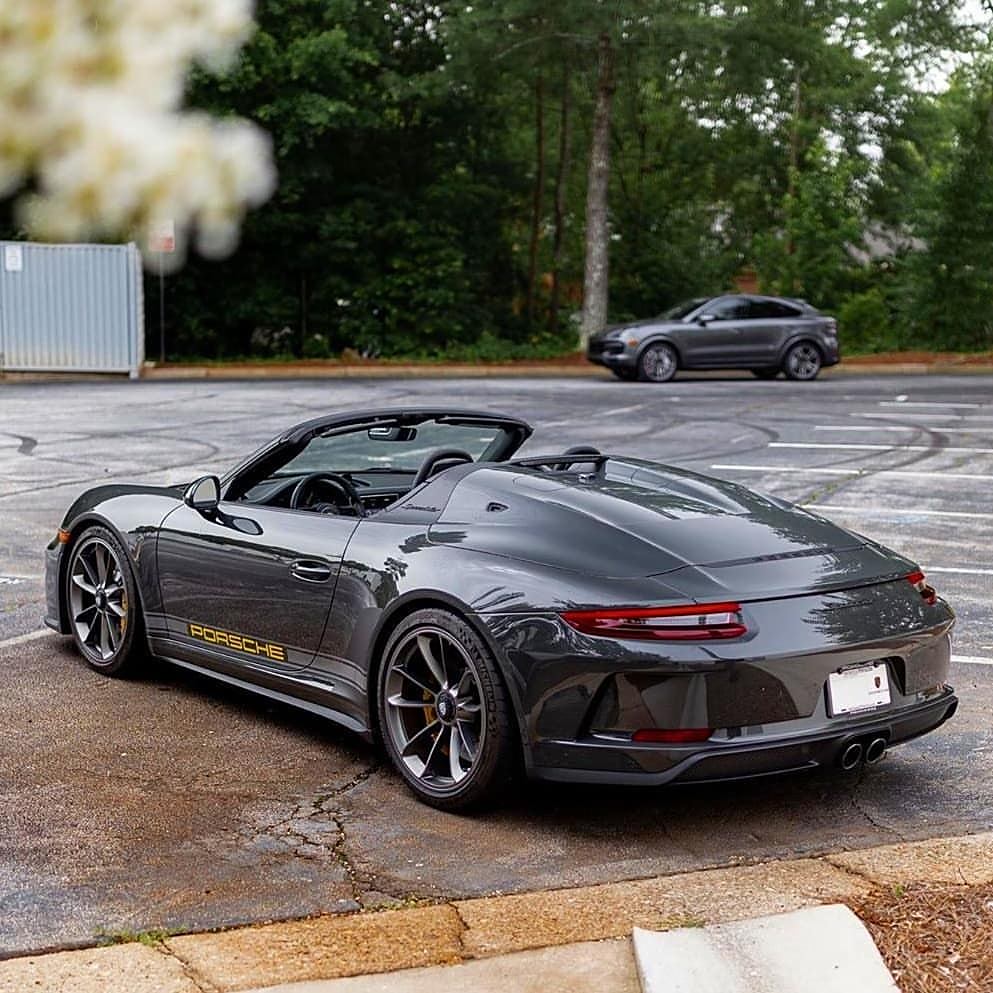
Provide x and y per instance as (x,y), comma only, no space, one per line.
(692,622)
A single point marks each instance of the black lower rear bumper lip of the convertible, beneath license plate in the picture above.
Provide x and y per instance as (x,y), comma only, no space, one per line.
(623,763)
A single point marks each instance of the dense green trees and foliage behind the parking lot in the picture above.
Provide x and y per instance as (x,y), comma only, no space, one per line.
(434,171)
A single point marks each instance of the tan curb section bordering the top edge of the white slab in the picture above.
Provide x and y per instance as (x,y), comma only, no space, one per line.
(498,925)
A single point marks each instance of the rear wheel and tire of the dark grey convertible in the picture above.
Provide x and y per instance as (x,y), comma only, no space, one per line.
(435,667)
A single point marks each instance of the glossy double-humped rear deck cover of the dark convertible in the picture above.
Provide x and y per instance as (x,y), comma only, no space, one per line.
(640,519)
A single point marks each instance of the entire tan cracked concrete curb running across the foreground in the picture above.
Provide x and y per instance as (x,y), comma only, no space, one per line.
(377,942)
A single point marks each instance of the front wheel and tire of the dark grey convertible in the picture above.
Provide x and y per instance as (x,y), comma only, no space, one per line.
(102,599)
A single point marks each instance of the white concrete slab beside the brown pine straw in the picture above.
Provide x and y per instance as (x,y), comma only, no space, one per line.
(815,950)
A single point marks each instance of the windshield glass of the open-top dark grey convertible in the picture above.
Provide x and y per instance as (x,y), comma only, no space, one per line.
(361,451)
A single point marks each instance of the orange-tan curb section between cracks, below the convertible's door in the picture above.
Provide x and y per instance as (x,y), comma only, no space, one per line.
(322,947)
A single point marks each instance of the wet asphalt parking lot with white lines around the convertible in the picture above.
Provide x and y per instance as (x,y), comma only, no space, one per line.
(172,802)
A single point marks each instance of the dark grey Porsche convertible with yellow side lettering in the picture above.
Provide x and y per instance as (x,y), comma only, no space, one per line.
(580,616)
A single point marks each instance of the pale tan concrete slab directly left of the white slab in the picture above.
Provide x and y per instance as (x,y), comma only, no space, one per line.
(590,967)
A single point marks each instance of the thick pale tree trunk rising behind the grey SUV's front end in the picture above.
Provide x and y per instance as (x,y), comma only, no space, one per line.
(596,271)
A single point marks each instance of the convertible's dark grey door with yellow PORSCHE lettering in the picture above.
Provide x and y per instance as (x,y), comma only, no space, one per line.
(248,586)
